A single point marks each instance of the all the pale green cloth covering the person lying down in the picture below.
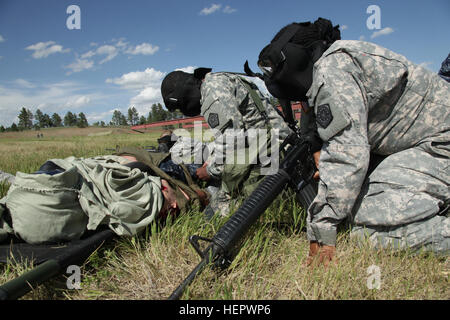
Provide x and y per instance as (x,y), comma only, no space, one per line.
(43,208)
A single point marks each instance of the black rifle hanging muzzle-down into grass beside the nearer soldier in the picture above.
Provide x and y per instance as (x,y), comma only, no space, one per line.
(296,169)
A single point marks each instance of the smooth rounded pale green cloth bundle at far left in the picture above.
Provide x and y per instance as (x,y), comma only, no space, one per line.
(45,208)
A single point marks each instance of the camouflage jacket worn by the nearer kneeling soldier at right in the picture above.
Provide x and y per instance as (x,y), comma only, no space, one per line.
(369,99)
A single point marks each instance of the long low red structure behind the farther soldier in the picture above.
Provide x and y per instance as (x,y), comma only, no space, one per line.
(191,122)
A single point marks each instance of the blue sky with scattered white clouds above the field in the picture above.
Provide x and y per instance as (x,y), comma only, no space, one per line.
(124,48)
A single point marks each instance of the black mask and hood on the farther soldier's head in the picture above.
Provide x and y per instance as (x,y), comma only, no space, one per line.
(181,90)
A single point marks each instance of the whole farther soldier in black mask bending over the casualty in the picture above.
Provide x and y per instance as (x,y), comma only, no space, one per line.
(232,106)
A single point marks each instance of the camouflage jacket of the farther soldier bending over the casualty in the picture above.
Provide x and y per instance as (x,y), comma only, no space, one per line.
(229,107)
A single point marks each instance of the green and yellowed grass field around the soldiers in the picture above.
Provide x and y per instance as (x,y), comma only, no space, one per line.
(269,265)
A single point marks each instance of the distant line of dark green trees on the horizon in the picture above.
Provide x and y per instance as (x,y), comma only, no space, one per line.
(38,120)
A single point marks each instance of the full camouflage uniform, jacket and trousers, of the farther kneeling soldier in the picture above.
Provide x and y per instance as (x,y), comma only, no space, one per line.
(232,105)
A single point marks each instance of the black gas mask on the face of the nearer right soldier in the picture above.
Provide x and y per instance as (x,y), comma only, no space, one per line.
(287,67)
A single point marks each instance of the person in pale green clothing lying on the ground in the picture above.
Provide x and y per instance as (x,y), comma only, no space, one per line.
(67,197)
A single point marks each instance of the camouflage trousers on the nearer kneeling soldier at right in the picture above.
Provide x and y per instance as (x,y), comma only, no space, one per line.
(404,202)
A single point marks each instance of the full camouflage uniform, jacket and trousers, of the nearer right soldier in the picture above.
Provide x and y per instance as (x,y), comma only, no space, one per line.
(369,99)
